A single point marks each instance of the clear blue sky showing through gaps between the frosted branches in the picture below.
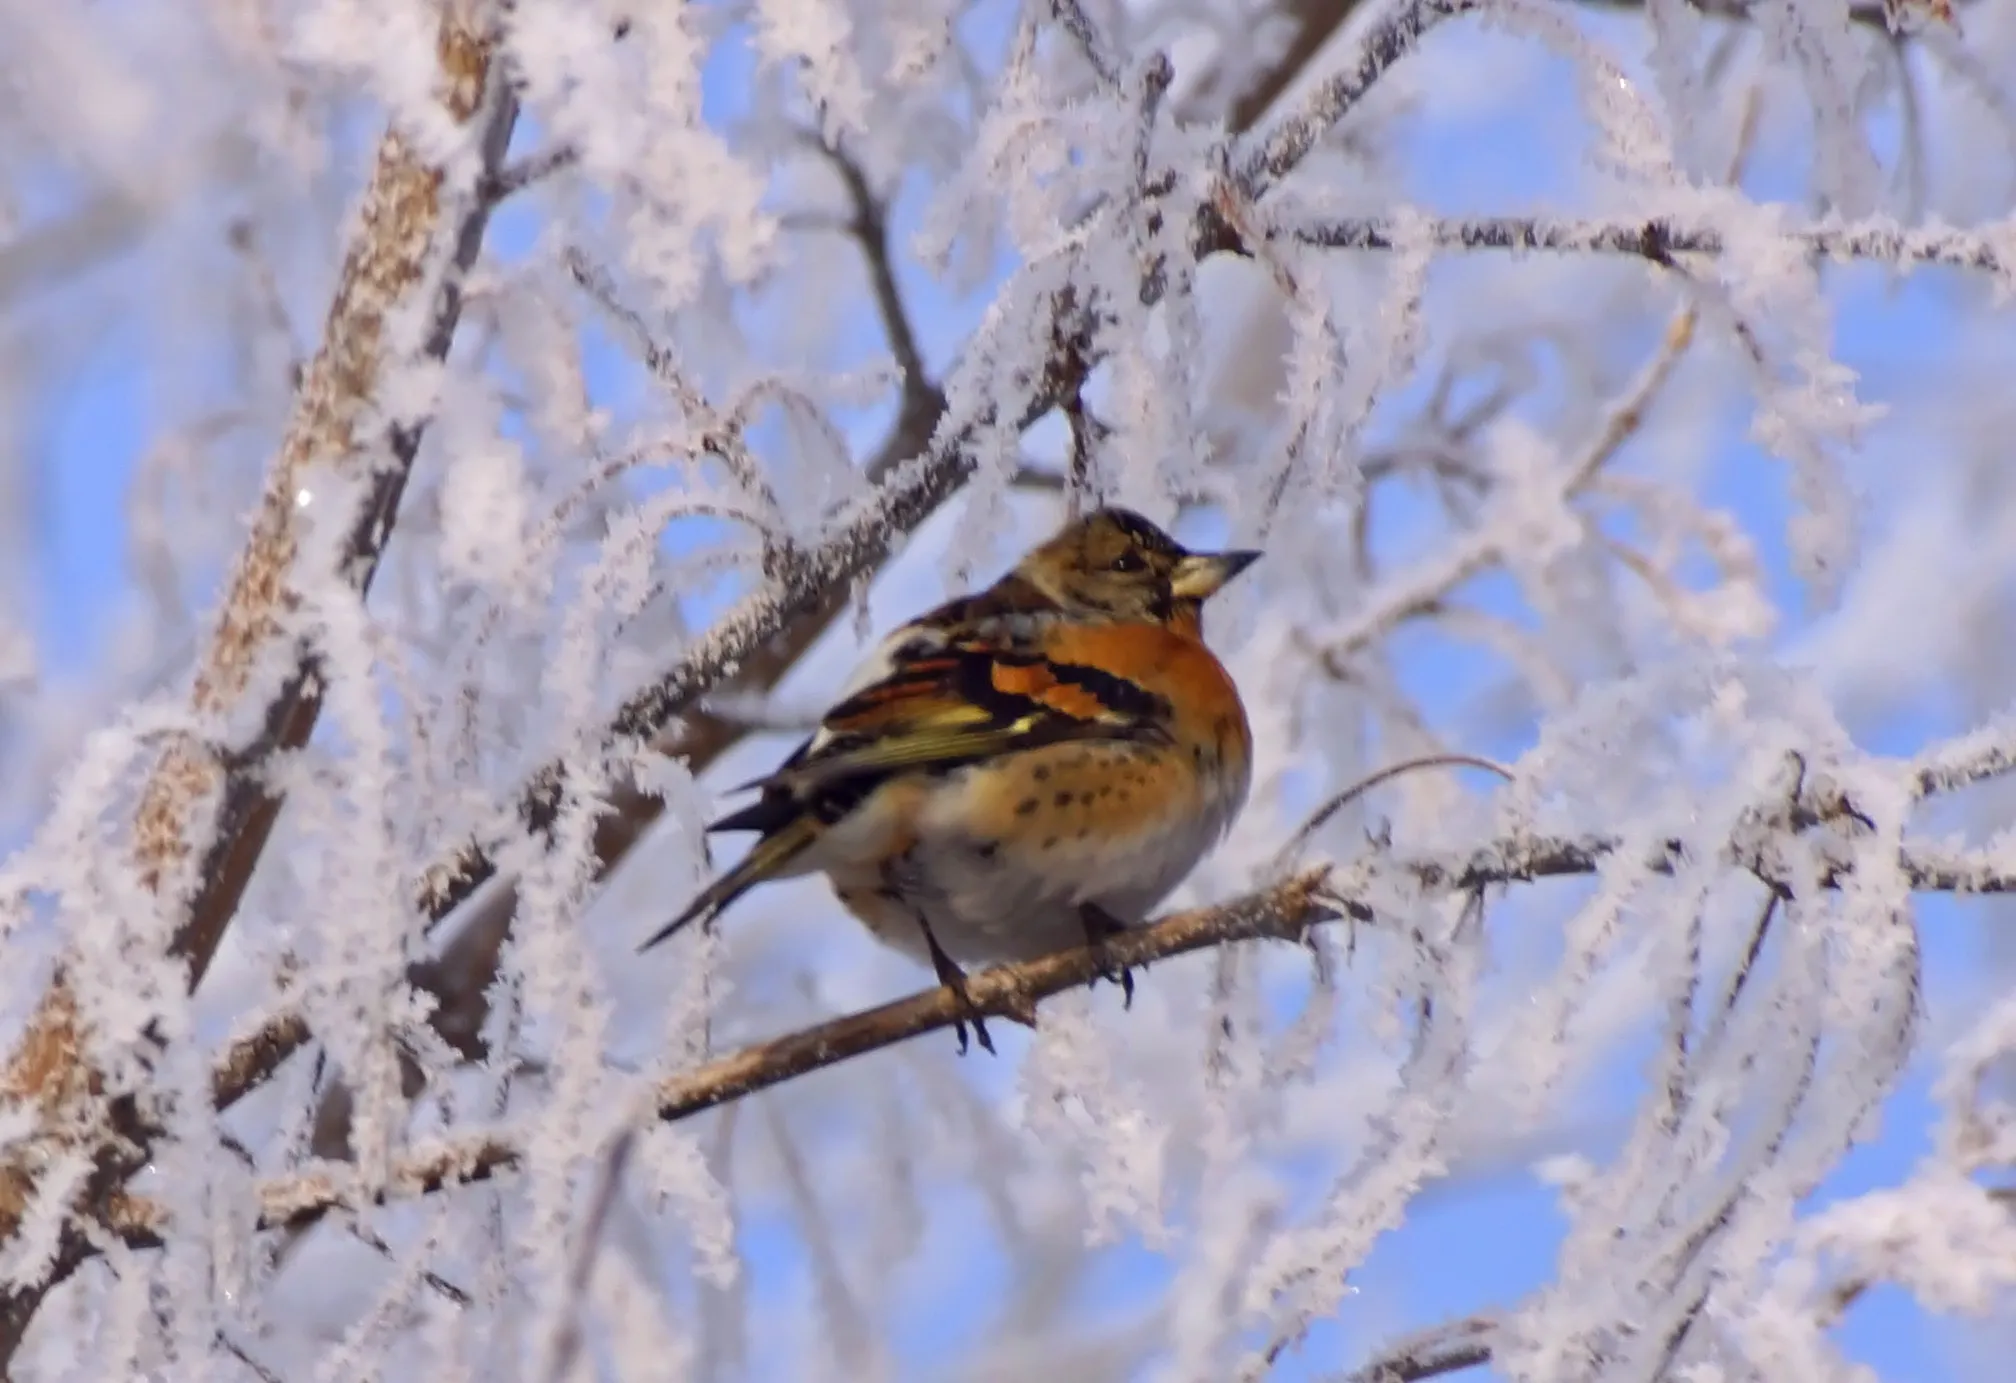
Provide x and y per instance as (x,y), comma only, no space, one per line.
(1461,1253)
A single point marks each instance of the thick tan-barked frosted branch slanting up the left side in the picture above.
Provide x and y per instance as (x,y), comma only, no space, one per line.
(328,509)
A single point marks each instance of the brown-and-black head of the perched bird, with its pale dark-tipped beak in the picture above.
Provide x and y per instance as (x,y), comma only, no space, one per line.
(1118,565)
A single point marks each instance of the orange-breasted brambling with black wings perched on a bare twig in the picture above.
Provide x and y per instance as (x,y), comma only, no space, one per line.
(1023,769)
